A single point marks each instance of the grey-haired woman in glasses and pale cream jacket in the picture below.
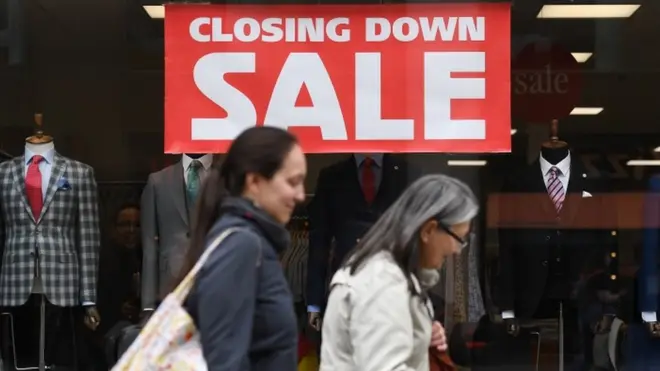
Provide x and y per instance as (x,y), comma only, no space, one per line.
(378,316)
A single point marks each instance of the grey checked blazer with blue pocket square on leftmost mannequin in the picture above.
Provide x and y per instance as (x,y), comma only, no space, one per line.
(65,237)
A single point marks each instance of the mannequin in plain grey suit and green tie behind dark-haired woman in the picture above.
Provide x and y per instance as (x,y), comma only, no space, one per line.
(166,206)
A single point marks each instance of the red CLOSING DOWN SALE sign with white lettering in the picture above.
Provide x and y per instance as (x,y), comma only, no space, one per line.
(381,78)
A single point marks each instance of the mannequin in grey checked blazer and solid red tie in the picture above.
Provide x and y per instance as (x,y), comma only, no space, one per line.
(53,200)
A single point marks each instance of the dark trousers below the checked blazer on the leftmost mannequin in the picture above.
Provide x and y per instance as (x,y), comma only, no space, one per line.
(64,330)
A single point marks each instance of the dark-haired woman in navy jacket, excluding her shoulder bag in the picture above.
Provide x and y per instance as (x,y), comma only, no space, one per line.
(241,303)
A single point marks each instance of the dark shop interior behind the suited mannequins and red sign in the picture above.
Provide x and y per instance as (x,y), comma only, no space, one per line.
(91,74)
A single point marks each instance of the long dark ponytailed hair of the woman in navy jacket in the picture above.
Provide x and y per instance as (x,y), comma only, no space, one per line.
(259,150)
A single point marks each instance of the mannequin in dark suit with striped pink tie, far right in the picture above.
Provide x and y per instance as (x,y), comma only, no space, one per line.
(543,250)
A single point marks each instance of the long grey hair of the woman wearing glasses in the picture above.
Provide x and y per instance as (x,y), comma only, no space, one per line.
(440,197)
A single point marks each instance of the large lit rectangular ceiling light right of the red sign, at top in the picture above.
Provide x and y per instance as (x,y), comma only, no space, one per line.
(588,10)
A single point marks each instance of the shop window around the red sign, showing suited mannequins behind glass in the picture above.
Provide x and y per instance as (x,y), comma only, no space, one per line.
(566,241)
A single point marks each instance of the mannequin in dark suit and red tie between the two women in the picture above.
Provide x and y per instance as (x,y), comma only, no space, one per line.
(349,198)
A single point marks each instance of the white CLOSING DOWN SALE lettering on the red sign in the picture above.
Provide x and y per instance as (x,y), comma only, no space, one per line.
(308,69)
